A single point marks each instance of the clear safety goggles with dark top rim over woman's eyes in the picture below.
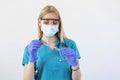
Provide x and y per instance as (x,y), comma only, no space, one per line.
(50,21)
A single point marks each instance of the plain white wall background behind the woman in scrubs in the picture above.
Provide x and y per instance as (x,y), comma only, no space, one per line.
(93,24)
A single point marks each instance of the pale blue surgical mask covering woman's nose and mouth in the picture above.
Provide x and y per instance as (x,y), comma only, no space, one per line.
(49,30)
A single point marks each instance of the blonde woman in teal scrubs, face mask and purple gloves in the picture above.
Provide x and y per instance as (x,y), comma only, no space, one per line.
(52,56)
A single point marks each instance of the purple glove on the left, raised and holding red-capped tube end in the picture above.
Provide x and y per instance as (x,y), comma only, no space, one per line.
(32,48)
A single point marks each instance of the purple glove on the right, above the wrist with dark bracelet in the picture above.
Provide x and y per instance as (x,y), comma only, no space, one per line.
(70,55)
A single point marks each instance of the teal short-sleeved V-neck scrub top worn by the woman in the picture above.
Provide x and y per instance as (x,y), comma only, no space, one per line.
(48,64)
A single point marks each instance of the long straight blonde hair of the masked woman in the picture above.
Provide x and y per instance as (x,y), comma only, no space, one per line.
(51,9)
